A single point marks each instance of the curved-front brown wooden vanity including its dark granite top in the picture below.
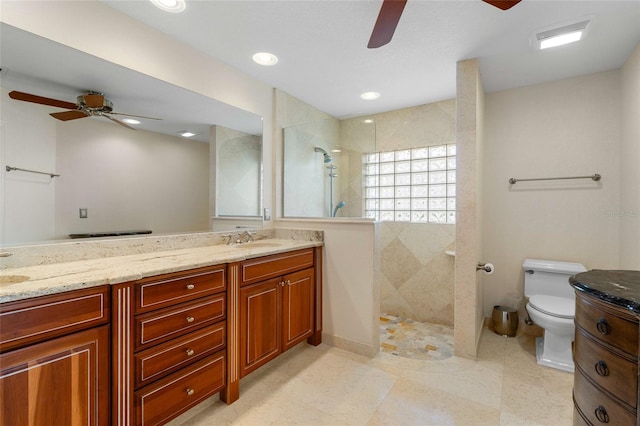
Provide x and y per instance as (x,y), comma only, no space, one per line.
(606,377)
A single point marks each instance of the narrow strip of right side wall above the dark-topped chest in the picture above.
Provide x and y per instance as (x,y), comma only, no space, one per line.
(629,208)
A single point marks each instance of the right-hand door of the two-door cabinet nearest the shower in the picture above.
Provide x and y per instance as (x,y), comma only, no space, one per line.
(298,308)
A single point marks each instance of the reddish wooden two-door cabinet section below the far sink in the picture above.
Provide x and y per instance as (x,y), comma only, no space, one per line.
(277,306)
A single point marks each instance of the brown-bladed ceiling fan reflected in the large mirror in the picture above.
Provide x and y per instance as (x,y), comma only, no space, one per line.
(91,104)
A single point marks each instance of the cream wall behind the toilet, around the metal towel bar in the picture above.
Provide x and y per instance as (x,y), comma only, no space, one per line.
(562,128)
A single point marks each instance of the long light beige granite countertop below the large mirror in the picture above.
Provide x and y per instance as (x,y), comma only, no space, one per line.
(33,281)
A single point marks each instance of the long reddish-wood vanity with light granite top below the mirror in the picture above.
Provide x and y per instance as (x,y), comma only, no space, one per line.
(171,329)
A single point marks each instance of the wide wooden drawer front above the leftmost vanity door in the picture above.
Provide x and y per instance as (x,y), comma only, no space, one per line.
(33,320)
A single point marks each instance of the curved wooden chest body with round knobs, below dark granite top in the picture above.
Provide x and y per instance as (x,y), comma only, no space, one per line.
(606,360)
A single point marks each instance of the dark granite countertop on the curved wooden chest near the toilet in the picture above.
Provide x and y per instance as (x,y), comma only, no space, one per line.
(621,288)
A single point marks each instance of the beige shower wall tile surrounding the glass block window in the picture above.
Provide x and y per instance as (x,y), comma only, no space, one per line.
(417,276)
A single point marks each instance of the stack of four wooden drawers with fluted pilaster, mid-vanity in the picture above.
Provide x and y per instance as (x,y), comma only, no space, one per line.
(170,339)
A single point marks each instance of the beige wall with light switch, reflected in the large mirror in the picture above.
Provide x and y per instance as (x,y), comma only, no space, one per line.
(129,180)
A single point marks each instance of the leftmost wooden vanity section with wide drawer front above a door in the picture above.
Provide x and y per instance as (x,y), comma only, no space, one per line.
(54,365)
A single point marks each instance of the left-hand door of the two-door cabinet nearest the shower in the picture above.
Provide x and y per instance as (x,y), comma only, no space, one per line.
(260,311)
